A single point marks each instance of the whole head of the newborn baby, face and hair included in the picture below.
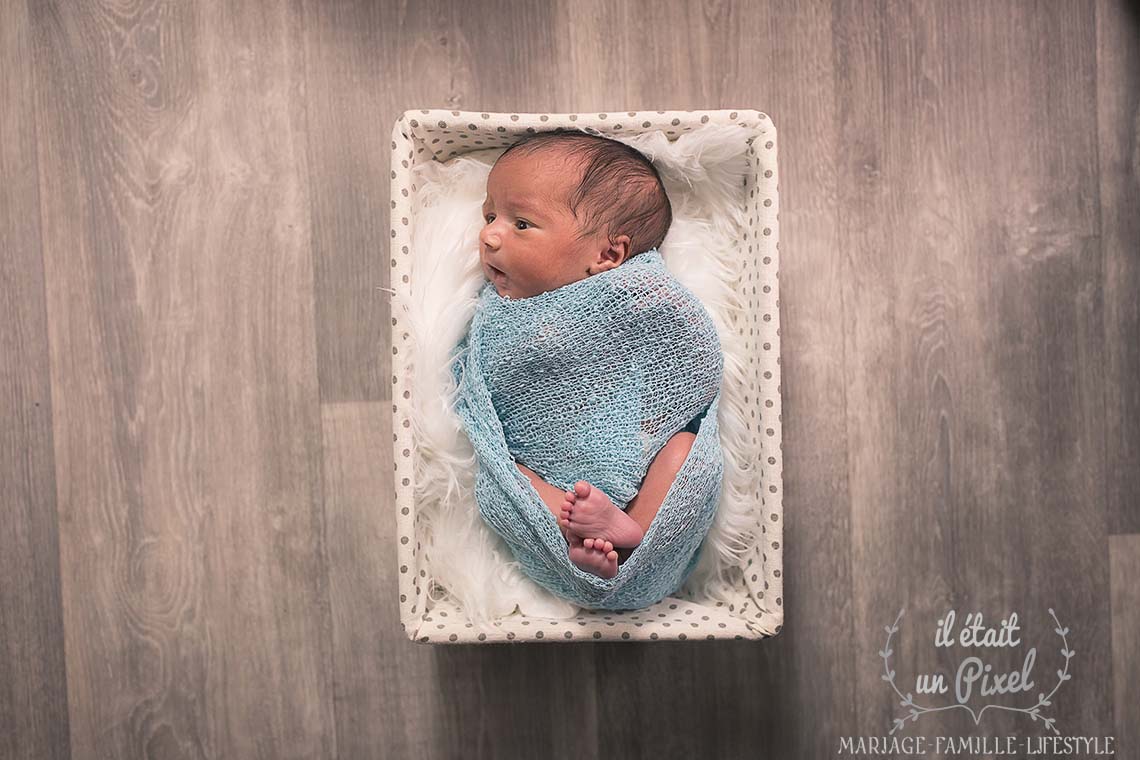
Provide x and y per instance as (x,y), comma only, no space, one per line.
(565,206)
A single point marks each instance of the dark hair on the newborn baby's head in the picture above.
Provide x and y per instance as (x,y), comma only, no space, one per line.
(621,192)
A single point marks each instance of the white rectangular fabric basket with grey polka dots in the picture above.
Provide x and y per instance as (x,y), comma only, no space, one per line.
(438,135)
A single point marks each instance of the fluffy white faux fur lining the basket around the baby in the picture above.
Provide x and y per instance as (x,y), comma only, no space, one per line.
(704,174)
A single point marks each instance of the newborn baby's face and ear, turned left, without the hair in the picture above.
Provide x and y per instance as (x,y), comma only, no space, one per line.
(530,242)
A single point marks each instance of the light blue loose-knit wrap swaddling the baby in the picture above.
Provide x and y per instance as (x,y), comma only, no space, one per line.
(589,382)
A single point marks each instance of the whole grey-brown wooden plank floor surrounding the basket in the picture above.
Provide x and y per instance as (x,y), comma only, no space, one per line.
(197,546)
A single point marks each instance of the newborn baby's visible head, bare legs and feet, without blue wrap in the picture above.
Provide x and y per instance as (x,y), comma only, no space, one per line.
(563,207)
